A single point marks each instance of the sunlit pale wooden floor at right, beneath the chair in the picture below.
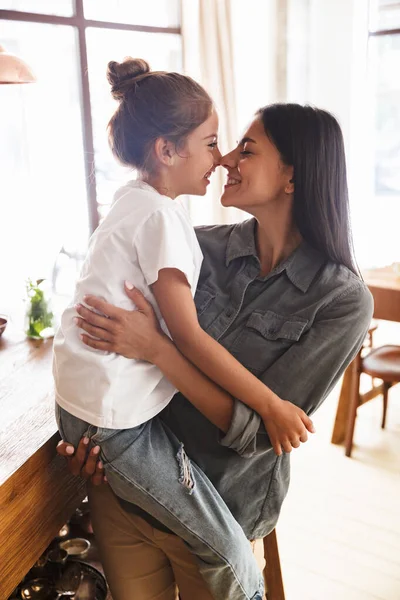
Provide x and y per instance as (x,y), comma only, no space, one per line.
(339,531)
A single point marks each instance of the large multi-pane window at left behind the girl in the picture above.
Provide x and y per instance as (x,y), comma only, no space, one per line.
(57,175)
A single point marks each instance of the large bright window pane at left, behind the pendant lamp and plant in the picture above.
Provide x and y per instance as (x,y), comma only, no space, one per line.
(42,179)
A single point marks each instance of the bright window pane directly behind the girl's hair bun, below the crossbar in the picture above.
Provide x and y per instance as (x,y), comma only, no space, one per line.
(163,51)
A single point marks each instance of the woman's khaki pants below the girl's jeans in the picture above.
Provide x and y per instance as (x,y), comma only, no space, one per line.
(141,562)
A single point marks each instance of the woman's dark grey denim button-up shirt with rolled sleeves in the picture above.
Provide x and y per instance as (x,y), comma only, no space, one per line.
(296,329)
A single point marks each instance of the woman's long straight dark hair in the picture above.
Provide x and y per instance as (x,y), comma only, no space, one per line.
(310,140)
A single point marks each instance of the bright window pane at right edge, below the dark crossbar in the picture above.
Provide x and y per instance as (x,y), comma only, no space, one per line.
(385,58)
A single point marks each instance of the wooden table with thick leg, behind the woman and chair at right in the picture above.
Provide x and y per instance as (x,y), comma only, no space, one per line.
(385,288)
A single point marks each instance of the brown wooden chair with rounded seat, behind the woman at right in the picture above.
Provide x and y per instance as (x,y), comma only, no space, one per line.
(382,363)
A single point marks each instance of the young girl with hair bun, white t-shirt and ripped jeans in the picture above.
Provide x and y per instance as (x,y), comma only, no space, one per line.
(165,127)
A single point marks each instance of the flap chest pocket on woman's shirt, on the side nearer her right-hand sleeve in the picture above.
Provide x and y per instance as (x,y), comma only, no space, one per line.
(265,337)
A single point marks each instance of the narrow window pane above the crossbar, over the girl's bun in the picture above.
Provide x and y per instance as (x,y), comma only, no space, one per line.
(158,13)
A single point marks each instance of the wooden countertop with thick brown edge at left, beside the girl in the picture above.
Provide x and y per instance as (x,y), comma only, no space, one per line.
(37,494)
